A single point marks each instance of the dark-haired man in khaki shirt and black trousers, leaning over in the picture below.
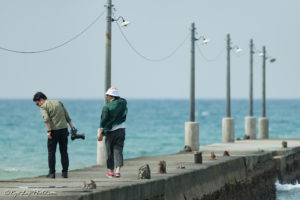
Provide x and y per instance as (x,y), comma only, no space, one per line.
(56,119)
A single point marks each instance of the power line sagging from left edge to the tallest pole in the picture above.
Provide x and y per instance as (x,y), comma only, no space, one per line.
(59,45)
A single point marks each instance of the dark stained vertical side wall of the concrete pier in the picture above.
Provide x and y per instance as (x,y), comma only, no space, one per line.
(238,178)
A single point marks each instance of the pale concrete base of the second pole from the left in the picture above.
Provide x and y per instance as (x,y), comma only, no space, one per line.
(191,137)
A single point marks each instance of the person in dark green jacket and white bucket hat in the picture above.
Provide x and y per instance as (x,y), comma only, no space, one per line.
(112,125)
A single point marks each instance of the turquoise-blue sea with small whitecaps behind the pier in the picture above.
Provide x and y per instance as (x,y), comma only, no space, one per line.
(153,127)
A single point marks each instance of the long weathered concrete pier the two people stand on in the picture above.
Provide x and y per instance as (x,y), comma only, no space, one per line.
(249,172)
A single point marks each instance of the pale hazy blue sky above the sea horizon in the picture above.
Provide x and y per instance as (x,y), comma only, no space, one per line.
(76,70)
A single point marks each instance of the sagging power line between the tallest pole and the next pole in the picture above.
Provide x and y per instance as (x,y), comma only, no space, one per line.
(151,59)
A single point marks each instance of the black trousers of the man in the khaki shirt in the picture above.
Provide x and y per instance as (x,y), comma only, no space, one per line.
(60,136)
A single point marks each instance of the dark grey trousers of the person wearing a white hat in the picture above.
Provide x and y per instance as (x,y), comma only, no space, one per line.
(114,143)
